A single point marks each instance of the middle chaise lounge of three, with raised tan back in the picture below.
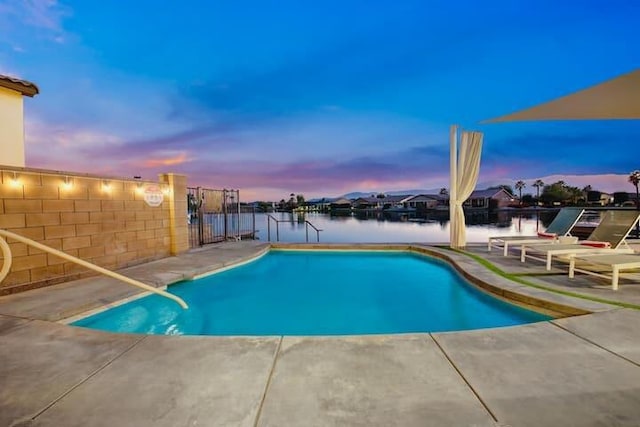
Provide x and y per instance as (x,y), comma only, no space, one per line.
(607,238)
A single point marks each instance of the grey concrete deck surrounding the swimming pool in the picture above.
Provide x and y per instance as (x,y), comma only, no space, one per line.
(574,371)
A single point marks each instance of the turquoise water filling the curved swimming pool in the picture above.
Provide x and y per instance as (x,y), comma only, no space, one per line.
(318,293)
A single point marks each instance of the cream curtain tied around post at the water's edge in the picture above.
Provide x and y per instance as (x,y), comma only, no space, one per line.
(465,163)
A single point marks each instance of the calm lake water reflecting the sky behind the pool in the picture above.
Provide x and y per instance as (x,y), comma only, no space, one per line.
(398,228)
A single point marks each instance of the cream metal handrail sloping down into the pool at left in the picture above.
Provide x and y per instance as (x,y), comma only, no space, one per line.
(6,252)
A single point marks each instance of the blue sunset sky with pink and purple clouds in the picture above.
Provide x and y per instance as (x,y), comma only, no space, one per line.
(318,98)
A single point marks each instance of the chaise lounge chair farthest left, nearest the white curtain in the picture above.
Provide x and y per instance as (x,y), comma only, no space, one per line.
(561,225)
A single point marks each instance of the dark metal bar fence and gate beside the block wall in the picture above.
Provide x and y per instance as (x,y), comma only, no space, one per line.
(217,216)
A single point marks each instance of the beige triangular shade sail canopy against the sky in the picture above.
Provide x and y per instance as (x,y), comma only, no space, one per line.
(618,98)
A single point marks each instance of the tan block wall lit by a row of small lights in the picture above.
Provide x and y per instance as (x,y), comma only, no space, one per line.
(105,221)
